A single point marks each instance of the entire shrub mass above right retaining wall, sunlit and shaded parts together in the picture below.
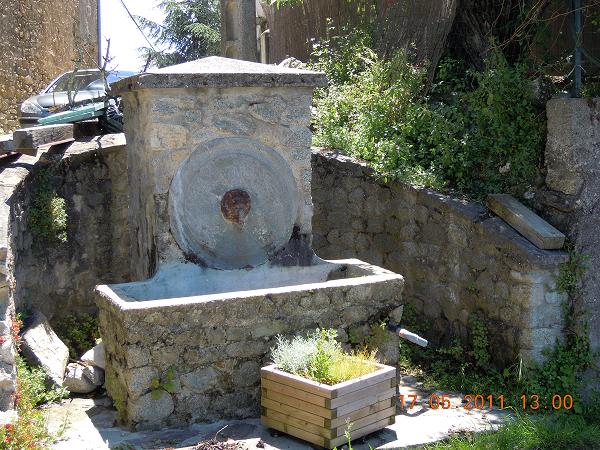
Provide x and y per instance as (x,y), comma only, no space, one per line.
(484,132)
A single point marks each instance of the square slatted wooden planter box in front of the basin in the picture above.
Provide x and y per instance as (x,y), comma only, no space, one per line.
(318,413)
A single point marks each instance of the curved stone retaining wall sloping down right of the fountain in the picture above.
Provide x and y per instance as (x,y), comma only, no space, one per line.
(456,258)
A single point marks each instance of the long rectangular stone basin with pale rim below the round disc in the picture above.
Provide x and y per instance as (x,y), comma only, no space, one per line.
(213,329)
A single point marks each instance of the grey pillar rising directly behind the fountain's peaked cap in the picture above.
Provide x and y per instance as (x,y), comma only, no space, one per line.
(238,29)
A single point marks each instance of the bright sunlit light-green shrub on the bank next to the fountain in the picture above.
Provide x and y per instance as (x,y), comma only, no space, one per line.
(376,114)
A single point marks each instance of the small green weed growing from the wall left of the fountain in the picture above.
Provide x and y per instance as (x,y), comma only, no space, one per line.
(47,215)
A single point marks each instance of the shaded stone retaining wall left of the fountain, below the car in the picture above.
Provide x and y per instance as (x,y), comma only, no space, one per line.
(57,278)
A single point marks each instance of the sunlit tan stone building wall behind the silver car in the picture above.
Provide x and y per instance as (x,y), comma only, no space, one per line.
(39,40)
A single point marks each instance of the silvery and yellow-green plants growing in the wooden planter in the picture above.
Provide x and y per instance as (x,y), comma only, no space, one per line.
(321,358)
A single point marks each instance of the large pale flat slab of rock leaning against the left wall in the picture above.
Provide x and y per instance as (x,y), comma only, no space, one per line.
(42,347)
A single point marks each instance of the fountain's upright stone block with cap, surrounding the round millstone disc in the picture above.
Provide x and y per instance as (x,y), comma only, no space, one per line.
(169,124)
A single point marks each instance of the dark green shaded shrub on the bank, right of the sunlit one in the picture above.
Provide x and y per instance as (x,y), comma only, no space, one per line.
(492,137)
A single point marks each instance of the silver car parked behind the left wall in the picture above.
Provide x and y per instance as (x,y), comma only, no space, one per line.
(84,84)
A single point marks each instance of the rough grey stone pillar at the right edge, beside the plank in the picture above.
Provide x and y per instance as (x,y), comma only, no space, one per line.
(571,197)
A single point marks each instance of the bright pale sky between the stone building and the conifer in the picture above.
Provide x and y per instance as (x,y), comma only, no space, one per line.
(124,36)
